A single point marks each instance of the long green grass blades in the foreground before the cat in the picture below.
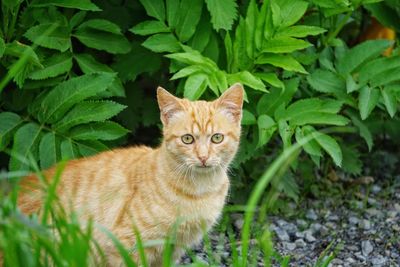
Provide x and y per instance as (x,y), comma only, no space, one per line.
(57,238)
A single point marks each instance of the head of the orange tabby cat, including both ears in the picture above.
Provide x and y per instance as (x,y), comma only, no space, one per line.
(202,135)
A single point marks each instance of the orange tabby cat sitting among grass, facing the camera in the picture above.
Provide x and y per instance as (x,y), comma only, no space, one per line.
(184,180)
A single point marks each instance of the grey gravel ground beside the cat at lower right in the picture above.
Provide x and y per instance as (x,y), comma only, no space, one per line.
(362,221)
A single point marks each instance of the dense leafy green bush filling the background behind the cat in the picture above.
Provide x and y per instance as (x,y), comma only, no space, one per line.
(77,75)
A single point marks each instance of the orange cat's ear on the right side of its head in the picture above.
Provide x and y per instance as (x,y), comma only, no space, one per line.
(231,102)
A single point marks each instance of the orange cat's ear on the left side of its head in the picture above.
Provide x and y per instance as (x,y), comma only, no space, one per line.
(169,105)
